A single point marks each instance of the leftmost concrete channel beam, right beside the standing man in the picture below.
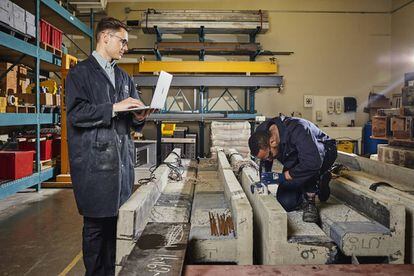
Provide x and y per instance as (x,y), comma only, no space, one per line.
(161,200)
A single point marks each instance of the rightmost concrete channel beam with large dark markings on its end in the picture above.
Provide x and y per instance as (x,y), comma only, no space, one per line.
(369,238)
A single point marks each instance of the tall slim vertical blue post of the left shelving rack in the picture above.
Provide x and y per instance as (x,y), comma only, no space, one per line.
(37,71)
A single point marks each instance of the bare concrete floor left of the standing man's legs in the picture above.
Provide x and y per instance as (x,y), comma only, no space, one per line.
(40,234)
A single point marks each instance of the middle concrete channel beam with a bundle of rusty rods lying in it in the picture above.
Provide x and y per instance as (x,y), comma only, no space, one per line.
(219,192)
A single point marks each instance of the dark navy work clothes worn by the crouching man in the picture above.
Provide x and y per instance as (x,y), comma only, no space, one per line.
(306,152)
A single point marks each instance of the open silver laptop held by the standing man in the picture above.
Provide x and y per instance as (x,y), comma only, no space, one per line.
(160,94)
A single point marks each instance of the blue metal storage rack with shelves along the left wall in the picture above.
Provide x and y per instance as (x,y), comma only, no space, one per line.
(17,51)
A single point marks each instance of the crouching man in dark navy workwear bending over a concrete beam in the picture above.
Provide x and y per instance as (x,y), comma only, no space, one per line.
(306,153)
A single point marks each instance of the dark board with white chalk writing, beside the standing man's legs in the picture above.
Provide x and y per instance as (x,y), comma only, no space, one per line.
(159,251)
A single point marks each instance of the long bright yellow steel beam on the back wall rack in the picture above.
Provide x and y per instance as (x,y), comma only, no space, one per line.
(212,67)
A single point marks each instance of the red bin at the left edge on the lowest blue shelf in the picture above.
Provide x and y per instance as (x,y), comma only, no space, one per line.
(16,164)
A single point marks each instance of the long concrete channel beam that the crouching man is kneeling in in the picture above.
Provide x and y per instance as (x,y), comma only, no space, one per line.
(281,237)
